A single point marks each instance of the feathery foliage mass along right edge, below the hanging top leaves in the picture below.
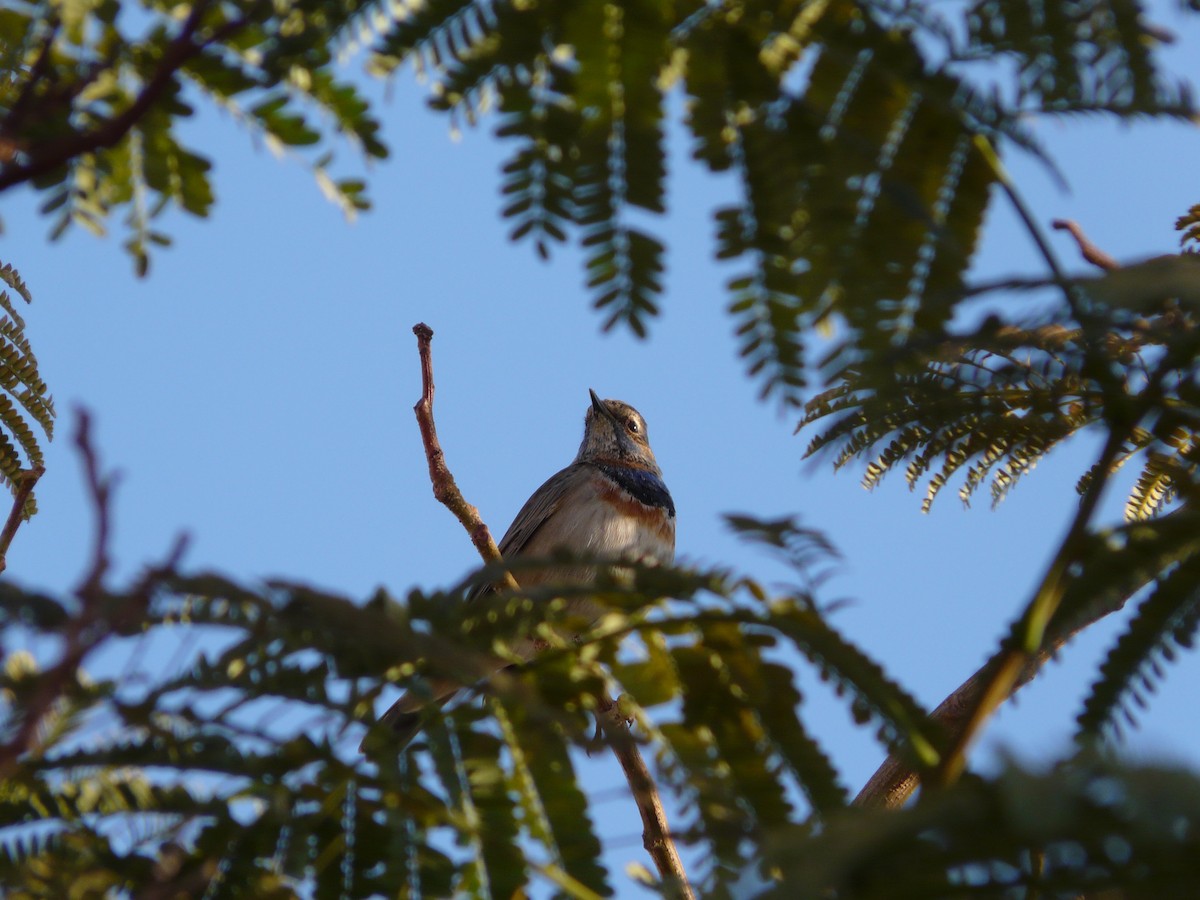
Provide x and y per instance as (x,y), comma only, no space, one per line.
(1118,357)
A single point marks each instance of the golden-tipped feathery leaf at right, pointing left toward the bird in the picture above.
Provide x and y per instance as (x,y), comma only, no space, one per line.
(991,405)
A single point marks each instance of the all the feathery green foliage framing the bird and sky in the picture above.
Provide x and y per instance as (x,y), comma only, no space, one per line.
(867,142)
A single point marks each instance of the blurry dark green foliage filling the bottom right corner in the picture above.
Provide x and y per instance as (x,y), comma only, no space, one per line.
(1009,836)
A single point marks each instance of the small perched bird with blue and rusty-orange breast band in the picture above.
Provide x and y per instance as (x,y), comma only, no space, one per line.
(611,502)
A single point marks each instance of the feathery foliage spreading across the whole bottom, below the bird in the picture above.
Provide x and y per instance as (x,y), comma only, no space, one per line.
(235,771)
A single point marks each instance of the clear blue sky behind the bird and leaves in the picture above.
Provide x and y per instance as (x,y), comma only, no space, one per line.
(256,392)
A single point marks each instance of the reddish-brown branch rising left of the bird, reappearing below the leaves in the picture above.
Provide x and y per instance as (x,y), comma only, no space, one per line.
(656,835)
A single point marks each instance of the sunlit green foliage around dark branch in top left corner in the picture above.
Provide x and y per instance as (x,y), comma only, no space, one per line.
(95,97)
